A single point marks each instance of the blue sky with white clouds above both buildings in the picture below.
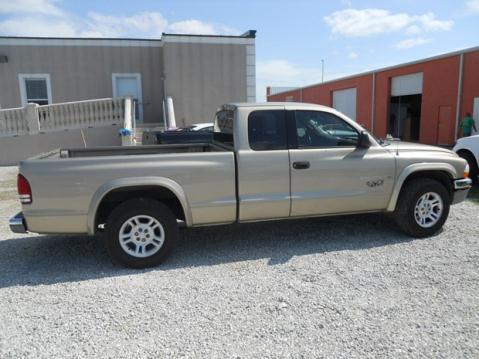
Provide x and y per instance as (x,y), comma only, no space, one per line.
(292,36)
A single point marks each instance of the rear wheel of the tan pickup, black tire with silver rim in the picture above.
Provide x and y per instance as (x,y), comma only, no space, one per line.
(140,233)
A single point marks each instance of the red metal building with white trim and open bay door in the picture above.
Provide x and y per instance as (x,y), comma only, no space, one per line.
(419,101)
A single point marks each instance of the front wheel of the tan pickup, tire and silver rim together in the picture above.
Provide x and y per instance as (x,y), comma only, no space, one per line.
(432,211)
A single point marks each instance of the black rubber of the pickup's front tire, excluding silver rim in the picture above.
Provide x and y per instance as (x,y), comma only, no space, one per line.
(412,191)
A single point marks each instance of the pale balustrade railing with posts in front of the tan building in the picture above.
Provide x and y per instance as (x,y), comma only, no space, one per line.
(33,118)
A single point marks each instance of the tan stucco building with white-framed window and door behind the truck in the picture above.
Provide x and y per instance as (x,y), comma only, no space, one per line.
(199,72)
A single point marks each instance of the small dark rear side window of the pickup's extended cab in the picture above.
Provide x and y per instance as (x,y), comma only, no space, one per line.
(267,130)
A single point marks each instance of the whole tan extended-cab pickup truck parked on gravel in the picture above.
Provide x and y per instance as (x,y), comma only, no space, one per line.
(267,161)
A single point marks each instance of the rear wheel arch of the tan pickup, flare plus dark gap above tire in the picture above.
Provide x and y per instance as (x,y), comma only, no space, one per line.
(128,188)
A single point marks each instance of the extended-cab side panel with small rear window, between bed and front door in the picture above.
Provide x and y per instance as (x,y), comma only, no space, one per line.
(263,169)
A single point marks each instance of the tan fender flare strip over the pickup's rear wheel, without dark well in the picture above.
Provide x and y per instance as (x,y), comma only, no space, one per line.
(112,185)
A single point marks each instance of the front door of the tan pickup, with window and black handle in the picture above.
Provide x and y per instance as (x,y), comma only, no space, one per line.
(329,173)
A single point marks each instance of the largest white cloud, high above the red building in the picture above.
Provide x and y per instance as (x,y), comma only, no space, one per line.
(367,22)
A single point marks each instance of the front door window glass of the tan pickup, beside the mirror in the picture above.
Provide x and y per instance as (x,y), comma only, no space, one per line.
(316,129)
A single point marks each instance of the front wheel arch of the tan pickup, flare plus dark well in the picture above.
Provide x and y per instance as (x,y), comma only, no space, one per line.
(442,172)
